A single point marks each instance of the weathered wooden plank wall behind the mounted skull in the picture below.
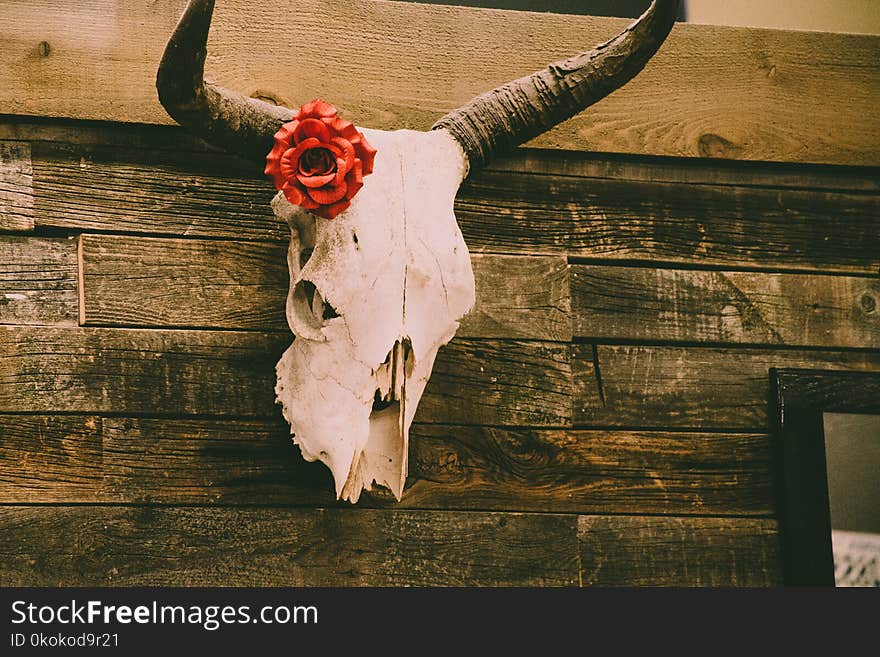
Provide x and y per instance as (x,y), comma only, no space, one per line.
(601,417)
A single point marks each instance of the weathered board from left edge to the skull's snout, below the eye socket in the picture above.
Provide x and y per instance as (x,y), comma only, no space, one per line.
(138,371)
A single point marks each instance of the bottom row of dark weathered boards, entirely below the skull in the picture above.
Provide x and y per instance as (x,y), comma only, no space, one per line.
(42,546)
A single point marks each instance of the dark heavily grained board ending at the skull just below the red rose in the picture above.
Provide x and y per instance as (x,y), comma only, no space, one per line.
(157,192)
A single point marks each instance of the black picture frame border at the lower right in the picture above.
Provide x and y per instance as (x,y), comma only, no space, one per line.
(800,398)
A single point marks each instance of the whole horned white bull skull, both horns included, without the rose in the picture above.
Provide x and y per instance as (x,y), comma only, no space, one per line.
(376,291)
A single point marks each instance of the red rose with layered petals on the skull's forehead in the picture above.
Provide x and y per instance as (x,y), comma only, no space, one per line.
(319,160)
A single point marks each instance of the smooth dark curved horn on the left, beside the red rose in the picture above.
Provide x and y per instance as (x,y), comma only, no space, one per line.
(221,117)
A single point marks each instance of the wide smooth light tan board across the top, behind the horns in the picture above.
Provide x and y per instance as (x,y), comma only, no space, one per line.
(746,94)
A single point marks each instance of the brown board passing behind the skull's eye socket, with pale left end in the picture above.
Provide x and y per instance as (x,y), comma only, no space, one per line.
(131,281)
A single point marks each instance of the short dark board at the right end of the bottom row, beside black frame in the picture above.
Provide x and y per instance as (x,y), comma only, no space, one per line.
(645,551)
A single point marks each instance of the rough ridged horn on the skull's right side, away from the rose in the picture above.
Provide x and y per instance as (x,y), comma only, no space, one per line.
(520,110)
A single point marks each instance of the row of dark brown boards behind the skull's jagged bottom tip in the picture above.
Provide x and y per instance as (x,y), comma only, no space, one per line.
(235,462)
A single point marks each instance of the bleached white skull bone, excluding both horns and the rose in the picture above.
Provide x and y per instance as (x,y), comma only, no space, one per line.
(374,294)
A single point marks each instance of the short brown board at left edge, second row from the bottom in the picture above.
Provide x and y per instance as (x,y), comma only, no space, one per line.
(50,459)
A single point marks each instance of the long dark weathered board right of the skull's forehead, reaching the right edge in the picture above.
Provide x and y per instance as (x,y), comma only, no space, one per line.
(675,223)
